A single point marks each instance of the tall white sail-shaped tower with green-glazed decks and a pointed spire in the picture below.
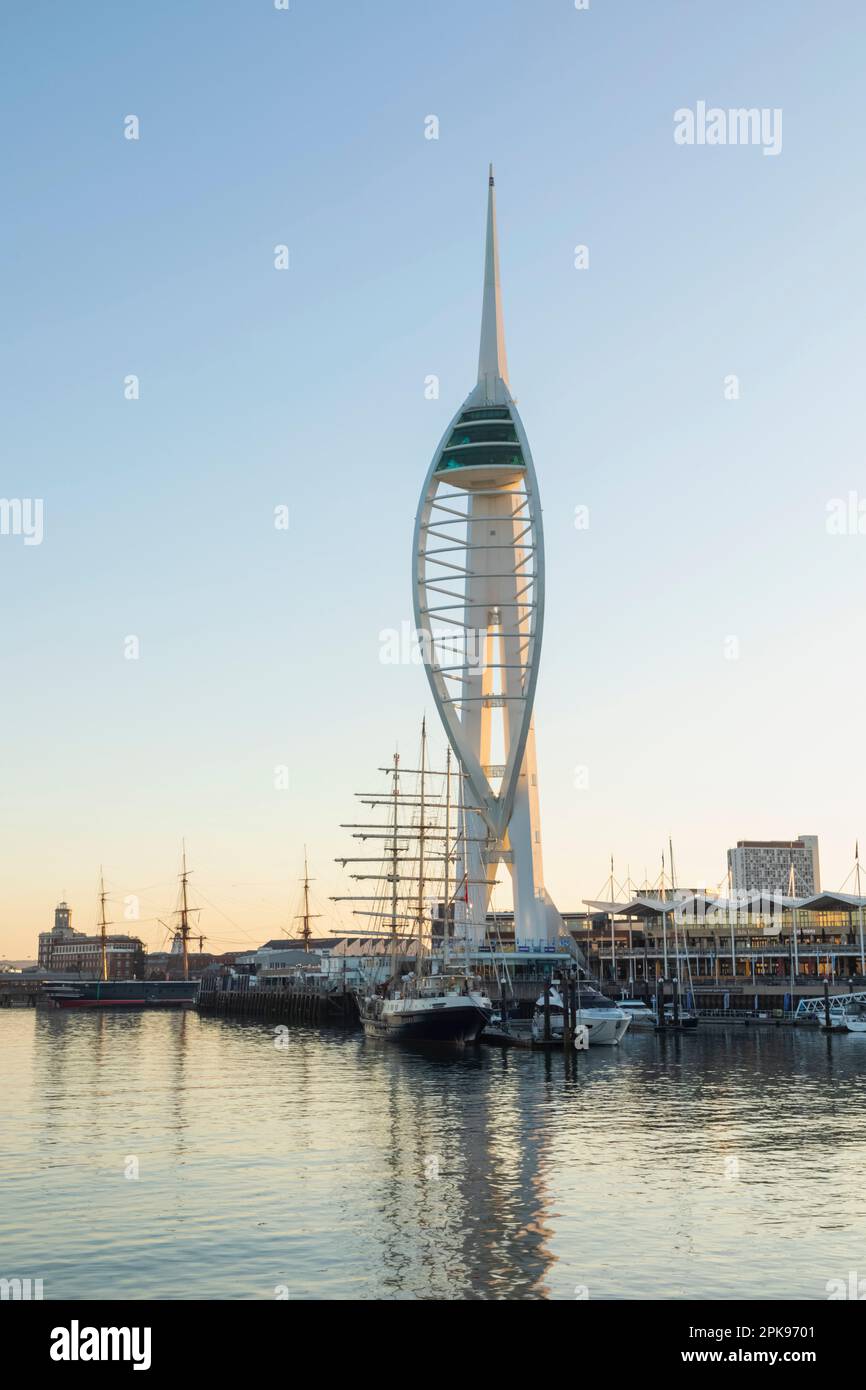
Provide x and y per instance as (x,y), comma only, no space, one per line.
(479,608)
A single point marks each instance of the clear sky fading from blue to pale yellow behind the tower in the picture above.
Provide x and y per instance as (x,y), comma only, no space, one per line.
(307,387)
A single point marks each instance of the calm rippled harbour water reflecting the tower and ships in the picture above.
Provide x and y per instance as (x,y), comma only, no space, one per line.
(169,1156)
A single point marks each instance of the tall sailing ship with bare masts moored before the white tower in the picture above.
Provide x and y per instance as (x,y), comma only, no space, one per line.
(425,995)
